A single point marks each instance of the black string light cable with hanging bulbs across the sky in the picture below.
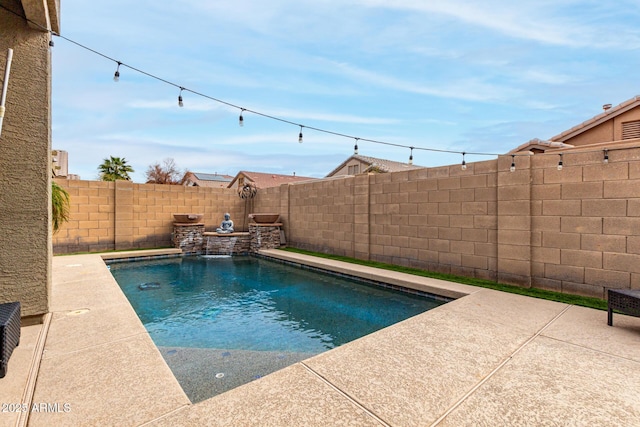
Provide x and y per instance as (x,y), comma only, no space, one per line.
(120,65)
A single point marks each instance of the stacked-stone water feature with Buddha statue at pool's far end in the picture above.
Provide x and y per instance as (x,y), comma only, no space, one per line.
(264,233)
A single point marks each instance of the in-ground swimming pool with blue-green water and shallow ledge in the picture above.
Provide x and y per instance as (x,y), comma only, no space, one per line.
(222,322)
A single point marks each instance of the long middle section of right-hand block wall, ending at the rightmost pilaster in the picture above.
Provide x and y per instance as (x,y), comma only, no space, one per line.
(441,219)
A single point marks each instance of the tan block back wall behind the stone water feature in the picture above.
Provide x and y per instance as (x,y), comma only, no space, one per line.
(123,215)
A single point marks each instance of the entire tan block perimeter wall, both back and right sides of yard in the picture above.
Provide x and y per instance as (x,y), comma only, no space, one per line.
(574,231)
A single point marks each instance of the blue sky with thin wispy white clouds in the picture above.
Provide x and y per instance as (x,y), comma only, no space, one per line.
(451,75)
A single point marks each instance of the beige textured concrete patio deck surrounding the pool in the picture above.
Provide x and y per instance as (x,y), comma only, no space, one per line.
(487,358)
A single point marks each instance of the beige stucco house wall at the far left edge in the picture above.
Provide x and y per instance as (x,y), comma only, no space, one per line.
(25,160)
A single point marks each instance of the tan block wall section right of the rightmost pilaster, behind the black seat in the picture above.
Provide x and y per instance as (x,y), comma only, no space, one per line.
(586,222)
